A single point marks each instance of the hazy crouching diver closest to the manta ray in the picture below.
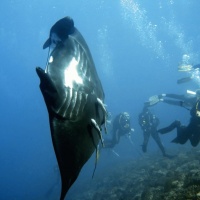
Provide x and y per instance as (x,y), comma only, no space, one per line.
(121,127)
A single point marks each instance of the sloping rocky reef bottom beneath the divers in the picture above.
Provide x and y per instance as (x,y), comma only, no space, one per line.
(148,178)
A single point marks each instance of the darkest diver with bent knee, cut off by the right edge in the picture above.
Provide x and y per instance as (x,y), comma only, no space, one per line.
(185,133)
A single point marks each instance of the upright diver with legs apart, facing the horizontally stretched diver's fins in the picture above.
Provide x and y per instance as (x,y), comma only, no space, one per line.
(149,123)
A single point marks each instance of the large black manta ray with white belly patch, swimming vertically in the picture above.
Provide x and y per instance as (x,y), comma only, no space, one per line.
(74,98)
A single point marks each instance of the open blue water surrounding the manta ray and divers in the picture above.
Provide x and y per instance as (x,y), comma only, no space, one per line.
(137,47)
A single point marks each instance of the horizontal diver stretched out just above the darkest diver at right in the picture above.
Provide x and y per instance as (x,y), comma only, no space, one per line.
(180,100)
